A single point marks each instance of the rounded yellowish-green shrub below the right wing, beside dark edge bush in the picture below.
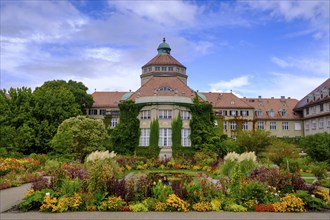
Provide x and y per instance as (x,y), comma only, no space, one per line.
(279,150)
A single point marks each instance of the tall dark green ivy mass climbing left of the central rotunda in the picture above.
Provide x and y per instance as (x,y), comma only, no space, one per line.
(125,137)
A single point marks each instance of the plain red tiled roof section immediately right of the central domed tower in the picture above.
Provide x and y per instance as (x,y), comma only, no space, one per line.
(225,100)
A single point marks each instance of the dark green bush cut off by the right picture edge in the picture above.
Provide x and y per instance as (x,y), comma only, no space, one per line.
(317,146)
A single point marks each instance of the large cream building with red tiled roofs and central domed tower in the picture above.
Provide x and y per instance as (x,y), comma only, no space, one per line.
(166,95)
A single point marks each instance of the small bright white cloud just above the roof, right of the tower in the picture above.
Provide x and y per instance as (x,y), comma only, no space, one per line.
(232,84)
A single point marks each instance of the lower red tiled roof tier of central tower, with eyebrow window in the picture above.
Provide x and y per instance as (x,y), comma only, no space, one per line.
(154,85)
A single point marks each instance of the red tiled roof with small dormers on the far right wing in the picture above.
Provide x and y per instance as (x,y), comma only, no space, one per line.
(266,104)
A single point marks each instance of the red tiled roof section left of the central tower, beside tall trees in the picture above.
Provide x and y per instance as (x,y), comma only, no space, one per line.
(107,99)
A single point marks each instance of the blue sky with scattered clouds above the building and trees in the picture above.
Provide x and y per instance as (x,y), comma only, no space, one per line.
(266,48)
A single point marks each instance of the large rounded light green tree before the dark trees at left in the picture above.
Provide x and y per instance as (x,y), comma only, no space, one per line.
(79,136)
